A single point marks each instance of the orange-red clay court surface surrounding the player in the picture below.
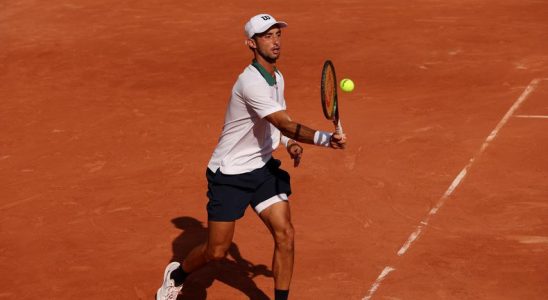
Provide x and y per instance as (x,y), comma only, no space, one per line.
(109,112)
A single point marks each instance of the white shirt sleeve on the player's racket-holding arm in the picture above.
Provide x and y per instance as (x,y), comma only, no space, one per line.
(258,97)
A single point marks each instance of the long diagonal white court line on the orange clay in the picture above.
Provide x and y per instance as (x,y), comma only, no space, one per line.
(456,182)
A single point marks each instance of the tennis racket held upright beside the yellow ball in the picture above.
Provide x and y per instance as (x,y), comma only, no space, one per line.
(330,103)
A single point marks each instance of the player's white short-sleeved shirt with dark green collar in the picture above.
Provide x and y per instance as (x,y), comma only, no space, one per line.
(248,140)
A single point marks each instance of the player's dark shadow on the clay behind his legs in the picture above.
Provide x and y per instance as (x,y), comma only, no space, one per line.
(234,271)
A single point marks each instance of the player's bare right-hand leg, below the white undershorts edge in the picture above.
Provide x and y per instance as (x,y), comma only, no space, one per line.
(277,218)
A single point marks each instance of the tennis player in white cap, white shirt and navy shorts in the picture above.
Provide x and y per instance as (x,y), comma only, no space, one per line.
(242,171)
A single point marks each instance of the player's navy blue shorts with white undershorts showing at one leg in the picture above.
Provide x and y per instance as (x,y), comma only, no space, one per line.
(229,195)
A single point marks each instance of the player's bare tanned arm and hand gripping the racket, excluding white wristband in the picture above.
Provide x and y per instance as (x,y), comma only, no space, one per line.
(299,132)
